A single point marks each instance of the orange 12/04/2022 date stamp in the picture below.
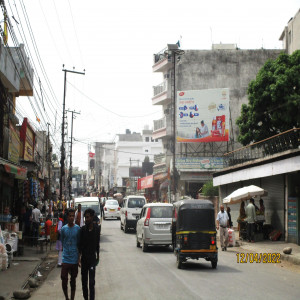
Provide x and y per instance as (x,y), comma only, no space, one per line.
(265,258)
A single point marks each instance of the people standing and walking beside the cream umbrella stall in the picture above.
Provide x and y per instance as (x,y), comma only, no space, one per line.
(248,214)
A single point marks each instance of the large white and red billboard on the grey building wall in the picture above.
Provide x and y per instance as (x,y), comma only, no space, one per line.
(203,115)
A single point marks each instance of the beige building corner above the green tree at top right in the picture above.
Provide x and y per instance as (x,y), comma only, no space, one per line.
(290,36)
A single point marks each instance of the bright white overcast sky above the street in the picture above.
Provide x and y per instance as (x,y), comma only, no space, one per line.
(114,42)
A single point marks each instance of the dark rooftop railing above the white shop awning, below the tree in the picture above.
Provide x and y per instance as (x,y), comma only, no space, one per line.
(288,140)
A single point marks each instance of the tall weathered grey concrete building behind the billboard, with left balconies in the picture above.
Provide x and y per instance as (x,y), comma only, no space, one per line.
(225,66)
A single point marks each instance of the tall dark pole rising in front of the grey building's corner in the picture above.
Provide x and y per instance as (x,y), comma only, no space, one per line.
(173,51)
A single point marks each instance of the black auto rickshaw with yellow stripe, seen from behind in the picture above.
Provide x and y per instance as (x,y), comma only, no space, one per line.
(194,231)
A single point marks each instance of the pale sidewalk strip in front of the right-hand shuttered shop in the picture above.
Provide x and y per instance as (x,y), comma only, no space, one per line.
(267,246)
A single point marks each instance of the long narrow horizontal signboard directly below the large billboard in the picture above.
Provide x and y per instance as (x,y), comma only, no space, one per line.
(196,163)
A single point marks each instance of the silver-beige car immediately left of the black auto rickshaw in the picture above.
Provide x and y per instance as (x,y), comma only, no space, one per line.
(154,224)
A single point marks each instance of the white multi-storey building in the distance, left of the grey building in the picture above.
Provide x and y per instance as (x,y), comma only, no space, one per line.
(130,152)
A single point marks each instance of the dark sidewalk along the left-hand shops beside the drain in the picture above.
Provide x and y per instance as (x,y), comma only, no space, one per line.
(22,267)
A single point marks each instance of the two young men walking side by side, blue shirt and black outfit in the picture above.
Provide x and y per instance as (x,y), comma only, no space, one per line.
(78,245)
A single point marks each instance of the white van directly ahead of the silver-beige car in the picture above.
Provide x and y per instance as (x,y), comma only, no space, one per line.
(131,210)
